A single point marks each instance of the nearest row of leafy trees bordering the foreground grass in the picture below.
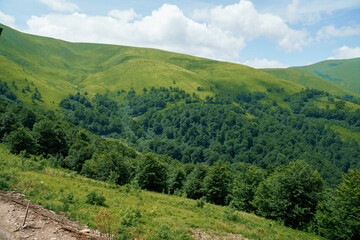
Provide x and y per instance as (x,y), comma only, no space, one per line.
(293,194)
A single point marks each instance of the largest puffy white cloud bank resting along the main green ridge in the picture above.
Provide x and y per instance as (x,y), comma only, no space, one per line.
(166,28)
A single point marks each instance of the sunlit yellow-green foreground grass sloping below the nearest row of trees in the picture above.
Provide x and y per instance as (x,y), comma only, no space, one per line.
(159,212)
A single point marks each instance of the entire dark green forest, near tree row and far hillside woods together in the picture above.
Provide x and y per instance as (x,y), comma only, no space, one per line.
(249,154)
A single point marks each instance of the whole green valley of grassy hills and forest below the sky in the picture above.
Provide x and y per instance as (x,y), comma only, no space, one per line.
(161,145)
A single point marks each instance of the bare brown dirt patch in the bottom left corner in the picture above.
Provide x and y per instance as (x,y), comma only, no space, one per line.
(41,223)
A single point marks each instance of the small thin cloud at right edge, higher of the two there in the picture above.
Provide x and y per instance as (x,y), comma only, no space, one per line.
(330,31)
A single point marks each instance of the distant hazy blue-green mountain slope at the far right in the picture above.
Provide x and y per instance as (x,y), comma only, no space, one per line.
(344,73)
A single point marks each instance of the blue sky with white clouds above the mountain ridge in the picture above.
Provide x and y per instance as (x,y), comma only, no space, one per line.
(257,33)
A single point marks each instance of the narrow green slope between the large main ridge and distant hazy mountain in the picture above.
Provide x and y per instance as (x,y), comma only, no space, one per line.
(309,80)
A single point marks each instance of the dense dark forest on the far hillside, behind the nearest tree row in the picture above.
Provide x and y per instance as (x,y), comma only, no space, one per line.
(171,122)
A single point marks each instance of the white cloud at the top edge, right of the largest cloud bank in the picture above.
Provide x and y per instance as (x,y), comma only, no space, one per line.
(243,20)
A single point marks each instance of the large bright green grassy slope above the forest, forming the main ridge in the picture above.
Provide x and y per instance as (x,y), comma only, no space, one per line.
(57,68)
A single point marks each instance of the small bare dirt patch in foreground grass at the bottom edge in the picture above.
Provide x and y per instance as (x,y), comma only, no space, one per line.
(200,234)
